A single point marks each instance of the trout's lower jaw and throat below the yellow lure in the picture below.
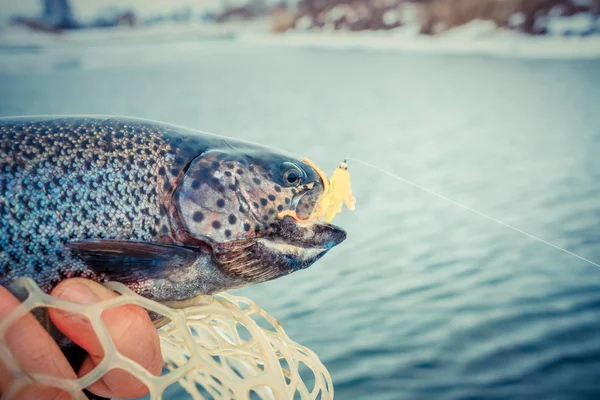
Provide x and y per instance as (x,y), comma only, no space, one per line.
(287,247)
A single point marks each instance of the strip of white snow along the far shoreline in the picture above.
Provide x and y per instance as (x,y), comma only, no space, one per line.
(476,38)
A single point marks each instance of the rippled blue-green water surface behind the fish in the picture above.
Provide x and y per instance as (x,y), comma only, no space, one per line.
(424,299)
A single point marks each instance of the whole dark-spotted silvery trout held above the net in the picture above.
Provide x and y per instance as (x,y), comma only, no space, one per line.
(168,211)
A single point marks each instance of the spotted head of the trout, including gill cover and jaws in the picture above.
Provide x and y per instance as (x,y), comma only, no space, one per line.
(232,199)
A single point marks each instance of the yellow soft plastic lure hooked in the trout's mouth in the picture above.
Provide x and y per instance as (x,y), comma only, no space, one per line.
(336,192)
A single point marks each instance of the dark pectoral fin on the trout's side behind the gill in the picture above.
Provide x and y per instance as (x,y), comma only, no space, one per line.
(129,261)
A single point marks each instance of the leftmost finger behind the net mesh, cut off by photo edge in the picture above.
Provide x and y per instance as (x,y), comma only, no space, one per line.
(35,352)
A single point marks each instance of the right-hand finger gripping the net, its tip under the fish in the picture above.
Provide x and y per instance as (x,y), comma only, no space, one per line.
(130,328)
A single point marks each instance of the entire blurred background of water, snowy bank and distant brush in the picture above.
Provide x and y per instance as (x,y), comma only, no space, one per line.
(493,103)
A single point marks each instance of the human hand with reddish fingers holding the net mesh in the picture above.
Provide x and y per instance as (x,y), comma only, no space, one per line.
(129,326)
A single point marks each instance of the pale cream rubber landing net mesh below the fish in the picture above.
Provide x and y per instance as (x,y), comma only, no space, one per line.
(221,347)
